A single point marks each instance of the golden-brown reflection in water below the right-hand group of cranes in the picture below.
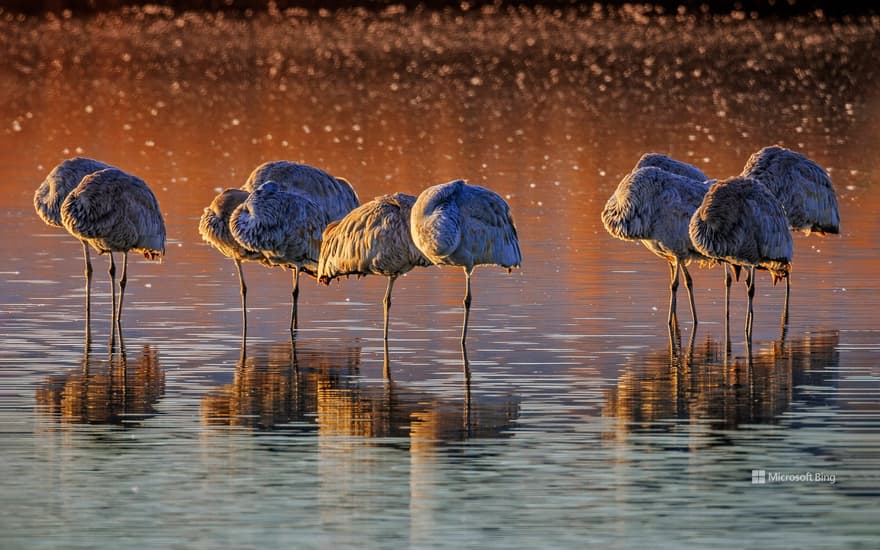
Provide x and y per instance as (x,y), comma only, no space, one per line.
(702,383)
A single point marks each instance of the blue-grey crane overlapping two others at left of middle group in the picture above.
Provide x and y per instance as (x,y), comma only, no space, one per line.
(285,228)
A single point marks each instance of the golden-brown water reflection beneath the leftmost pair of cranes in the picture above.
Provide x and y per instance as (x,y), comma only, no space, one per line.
(107,389)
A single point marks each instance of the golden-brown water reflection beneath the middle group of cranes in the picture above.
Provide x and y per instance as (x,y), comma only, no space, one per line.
(297,387)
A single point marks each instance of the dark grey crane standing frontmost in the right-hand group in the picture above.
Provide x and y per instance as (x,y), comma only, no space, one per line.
(742,223)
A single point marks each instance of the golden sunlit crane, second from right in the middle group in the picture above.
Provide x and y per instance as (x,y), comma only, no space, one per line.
(373,238)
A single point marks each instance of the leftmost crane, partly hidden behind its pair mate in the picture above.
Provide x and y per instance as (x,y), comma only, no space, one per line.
(50,196)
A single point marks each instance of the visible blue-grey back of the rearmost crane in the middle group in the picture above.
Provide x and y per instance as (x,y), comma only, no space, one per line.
(335,196)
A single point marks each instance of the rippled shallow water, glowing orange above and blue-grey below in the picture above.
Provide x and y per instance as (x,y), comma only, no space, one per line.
(583,421)
